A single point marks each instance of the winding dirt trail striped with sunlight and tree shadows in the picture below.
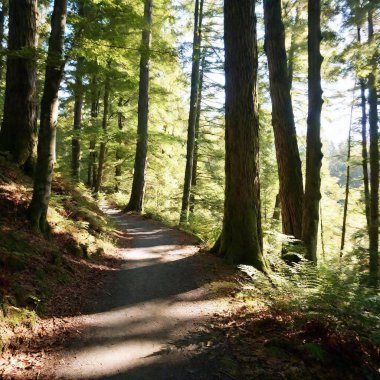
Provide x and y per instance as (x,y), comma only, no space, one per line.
(155,299)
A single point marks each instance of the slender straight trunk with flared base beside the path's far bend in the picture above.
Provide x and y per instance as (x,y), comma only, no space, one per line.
(138,184)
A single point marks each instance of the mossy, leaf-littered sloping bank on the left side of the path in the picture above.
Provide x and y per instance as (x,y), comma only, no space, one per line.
(33,267)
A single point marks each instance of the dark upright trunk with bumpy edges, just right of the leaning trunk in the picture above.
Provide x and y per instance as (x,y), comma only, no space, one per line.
(313,140)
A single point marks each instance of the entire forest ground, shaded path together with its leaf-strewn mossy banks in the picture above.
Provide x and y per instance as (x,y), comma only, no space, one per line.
(143,302)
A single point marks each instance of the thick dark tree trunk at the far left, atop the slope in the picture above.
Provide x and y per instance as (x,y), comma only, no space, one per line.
(19,128)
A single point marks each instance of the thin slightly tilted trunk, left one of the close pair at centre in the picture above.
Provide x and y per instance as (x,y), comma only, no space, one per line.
(198,15)
